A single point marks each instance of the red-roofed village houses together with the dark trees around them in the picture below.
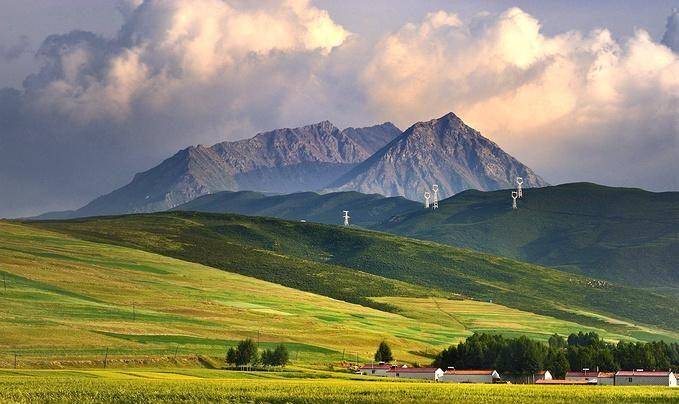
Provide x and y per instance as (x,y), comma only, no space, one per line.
(519,361)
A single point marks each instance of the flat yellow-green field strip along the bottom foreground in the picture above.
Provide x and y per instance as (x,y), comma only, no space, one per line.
(184,386)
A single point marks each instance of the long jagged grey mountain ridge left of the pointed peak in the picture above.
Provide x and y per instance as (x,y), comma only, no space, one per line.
(283,160)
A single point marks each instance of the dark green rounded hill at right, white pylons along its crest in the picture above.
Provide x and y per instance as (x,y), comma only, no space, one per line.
(620,234)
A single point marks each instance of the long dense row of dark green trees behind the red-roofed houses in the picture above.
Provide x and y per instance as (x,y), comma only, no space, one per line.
(583,350)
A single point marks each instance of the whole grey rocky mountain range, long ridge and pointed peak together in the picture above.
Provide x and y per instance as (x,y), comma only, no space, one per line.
(320,157)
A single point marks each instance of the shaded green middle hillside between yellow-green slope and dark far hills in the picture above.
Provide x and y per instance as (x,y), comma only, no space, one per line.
(352,265)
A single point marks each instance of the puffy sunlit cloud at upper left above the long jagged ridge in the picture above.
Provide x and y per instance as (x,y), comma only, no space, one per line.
(166,48)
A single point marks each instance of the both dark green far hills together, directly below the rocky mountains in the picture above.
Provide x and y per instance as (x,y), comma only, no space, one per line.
(618,234)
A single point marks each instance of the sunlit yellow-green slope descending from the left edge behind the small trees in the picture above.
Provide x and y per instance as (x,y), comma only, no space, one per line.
(65,301)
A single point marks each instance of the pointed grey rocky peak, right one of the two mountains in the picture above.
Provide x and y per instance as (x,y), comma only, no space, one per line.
(442,151)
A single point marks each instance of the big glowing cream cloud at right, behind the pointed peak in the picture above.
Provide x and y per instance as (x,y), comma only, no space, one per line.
(575,106)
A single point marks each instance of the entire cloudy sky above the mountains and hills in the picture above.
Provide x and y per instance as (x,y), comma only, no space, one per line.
(92,92)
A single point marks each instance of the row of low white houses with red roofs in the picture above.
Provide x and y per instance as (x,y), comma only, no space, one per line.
(638,377)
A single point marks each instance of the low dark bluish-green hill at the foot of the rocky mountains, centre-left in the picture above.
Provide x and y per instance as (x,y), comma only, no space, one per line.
(365,210)
